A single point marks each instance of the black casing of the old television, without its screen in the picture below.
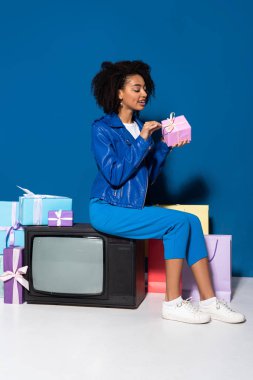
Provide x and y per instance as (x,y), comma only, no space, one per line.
(123,269)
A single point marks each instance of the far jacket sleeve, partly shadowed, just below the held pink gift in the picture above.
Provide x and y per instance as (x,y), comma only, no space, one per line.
(156,159)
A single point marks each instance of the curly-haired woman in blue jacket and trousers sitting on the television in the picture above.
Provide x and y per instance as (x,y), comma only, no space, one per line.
(128,163)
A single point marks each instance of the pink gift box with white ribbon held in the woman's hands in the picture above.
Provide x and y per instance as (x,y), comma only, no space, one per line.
(175,129)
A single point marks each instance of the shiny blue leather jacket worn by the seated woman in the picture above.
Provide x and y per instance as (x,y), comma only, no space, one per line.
(126,166)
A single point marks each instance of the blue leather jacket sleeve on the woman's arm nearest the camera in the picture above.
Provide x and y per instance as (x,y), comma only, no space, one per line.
(117,169)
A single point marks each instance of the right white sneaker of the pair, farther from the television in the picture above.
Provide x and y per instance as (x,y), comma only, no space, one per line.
(221,311)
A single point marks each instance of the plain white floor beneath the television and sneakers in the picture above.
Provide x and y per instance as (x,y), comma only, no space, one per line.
(63,342)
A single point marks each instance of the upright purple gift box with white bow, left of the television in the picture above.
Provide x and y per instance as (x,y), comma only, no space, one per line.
(13,275)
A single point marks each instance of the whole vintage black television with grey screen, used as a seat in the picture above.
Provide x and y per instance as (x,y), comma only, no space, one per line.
(80,266)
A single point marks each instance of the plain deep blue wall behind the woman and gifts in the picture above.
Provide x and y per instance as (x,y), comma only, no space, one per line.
(201,58)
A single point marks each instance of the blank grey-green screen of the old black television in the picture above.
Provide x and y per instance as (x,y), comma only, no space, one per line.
(69,265)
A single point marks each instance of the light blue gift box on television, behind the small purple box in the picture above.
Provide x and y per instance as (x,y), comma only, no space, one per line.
(33,208)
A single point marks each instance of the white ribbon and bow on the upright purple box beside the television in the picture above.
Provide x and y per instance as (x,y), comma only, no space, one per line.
(17,275)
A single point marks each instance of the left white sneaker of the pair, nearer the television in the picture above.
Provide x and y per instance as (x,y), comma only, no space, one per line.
(184,311)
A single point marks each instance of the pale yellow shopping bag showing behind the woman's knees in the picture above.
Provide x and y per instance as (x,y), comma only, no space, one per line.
(201,211)
